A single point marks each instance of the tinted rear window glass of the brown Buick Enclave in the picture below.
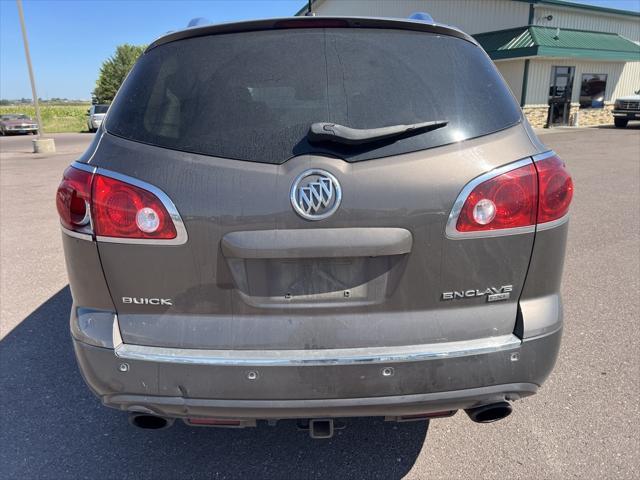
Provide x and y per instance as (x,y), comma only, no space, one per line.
(253,95)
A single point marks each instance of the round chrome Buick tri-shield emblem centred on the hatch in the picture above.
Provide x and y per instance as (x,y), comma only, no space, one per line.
(315,194)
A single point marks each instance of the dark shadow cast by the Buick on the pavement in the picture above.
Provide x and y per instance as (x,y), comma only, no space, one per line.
(53,427)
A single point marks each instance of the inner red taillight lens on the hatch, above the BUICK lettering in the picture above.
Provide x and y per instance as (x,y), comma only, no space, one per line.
(123,210)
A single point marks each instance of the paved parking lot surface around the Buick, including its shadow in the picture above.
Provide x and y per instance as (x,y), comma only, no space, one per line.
(582,424)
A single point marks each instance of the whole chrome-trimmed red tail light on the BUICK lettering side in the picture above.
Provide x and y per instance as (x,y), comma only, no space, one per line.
(115,209)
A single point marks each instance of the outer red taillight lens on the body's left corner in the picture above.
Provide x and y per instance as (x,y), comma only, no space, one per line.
(73,199)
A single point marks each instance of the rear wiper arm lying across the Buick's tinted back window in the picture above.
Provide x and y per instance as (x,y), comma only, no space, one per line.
(333,132)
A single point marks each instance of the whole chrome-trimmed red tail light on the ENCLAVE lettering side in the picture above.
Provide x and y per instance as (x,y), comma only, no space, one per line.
(517,196)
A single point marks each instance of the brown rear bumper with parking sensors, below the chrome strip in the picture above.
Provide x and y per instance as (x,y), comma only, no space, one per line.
(381,385)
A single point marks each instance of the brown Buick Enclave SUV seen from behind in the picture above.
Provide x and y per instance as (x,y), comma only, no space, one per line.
(315,218)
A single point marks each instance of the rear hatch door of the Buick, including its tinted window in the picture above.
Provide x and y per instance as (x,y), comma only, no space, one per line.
(226,140)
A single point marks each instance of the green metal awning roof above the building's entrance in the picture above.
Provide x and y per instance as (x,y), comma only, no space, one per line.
(530,41)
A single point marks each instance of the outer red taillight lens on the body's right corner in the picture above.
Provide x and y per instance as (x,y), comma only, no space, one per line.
(556,189)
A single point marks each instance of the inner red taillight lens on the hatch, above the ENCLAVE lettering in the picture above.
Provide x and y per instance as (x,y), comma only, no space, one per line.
(506,201)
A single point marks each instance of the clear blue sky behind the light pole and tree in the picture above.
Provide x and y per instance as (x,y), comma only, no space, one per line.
(69,39)
